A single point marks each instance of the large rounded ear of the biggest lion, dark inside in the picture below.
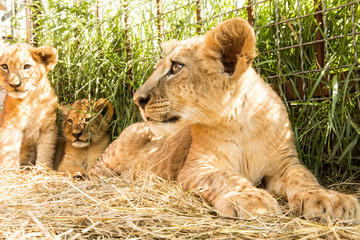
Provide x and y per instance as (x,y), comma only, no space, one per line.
(234,43)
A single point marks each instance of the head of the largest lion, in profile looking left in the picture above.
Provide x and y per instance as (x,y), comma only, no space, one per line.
(197,79)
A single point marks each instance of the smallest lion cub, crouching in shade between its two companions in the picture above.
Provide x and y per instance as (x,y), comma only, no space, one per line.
(84,126)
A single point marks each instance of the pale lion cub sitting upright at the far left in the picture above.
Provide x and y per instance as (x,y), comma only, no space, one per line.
(28,129)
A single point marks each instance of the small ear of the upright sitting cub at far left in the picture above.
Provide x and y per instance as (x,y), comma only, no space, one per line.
(46,55)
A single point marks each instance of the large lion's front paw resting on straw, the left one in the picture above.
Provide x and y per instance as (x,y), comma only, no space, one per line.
(248,204)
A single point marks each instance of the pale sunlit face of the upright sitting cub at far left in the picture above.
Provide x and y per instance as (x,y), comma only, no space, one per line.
(21,65)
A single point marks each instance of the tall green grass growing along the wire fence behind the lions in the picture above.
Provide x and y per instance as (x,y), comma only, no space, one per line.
(307,50)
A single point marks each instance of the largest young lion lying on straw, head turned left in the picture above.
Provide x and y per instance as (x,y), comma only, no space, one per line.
(216,127)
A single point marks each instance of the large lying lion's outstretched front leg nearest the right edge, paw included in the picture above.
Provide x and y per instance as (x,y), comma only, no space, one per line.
(307,198)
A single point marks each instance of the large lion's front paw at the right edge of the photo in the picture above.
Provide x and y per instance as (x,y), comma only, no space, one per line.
(324,204)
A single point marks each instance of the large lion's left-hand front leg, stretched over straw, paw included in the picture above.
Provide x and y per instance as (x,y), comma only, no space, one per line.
(231,194)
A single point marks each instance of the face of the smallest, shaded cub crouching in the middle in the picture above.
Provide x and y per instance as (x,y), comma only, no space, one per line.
(86,122)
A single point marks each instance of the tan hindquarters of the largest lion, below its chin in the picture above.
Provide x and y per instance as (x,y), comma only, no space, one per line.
(139,148)
